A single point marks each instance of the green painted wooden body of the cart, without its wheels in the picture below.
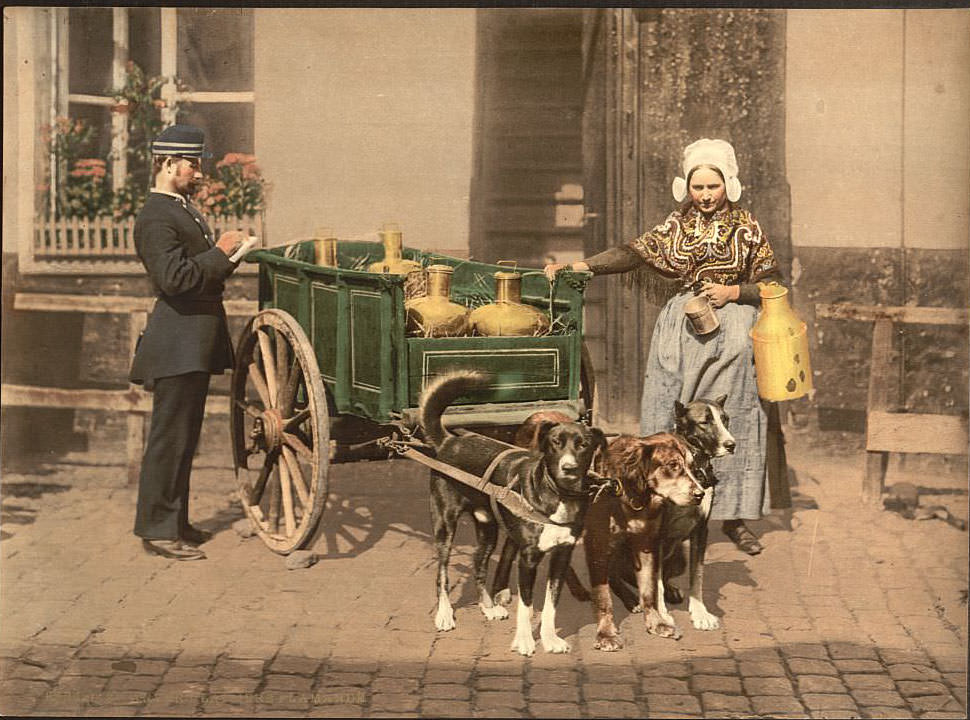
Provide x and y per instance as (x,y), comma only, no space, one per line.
(356,323)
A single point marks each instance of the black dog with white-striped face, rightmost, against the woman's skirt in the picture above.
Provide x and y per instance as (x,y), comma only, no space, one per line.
(703,426)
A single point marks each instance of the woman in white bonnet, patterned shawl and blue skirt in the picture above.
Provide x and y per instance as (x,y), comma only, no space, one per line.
(719,251)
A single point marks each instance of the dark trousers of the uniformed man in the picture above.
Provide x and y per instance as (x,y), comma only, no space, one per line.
(178,407)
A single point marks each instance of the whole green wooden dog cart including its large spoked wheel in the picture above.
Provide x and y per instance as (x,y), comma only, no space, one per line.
(325,373)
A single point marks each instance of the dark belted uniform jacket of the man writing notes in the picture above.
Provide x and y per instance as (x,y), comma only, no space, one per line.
(187,329)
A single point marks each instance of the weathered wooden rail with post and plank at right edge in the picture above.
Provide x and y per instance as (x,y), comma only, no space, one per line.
(888,431)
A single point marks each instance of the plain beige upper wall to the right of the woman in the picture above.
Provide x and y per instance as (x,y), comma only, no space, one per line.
(878,144)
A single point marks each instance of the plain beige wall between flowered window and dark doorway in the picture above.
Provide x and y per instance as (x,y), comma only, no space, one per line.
(365,116)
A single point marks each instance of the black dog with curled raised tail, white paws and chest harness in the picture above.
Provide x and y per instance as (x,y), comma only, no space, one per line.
(553,481)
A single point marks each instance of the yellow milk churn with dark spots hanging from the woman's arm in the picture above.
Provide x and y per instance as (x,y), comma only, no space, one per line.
(780,347)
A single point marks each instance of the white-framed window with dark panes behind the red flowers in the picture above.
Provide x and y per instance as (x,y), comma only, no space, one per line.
(204,54)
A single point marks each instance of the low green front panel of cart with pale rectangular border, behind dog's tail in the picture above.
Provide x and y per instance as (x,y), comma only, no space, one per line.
(523,369)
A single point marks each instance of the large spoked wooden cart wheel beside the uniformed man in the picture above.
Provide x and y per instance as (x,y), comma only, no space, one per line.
(280,431)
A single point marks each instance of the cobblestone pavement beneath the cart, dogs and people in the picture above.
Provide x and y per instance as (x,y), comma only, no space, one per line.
(852,612)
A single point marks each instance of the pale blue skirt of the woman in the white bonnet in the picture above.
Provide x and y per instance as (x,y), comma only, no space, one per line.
(684,366)
